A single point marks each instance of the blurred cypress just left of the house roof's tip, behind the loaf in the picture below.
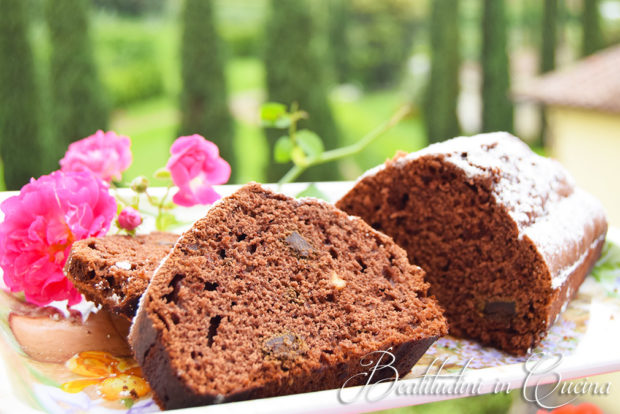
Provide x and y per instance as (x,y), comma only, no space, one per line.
(497,110)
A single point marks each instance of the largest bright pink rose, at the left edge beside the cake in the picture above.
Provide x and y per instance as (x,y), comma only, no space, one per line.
(41,223)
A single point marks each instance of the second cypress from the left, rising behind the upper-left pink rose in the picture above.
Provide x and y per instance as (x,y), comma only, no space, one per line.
(79,107)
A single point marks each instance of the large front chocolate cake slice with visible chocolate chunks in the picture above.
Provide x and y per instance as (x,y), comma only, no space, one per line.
(268,295)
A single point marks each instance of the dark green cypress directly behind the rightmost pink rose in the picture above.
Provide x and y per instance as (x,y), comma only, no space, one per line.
(204,106)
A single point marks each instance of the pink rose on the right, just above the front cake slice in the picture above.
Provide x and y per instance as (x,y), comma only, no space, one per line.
(195,165)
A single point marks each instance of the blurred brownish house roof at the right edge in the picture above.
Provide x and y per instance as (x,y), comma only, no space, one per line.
(592,83)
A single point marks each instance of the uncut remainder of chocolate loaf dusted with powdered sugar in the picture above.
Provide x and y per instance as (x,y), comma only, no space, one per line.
(503,234)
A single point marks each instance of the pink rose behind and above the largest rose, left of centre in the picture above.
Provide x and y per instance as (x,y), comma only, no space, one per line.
(105,154)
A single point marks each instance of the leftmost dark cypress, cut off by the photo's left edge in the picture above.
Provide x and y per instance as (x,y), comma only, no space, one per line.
(20,126)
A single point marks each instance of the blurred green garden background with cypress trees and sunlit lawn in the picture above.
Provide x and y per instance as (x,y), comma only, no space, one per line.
(157,69)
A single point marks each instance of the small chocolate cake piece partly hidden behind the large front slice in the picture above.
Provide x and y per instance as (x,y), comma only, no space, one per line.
(114,271)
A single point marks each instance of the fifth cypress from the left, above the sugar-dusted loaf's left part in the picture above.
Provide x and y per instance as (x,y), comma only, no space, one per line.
(443,87)
